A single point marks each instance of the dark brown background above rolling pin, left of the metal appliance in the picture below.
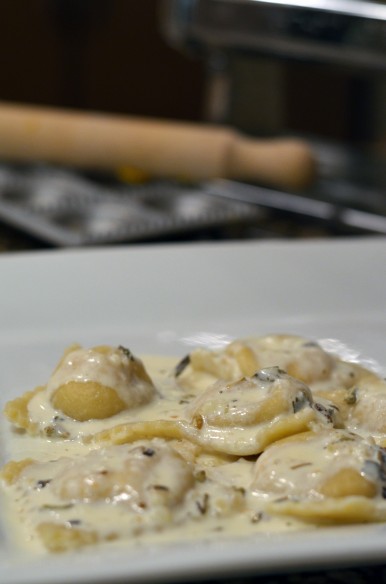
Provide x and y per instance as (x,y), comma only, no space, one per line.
(95,54)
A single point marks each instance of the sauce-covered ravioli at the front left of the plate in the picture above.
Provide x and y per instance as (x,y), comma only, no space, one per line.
(113,493)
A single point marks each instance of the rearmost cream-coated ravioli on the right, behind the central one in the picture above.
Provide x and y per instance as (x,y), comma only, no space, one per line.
(328,377)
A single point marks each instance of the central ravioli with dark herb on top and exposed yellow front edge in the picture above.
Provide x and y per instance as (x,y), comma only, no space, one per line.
(245,416)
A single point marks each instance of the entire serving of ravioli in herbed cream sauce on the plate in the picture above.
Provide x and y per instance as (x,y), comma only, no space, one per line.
(269,431)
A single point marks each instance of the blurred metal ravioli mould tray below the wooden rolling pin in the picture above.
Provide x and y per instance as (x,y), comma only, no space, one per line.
(64,208)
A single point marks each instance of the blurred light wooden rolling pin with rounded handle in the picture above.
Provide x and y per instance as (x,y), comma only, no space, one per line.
(157,148)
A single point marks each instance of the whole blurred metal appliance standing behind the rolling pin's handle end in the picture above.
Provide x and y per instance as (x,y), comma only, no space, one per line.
(251,47)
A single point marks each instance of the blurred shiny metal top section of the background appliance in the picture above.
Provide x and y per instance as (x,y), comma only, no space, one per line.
(338,31)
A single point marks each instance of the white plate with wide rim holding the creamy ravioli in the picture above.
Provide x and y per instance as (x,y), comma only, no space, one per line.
(166,299)
